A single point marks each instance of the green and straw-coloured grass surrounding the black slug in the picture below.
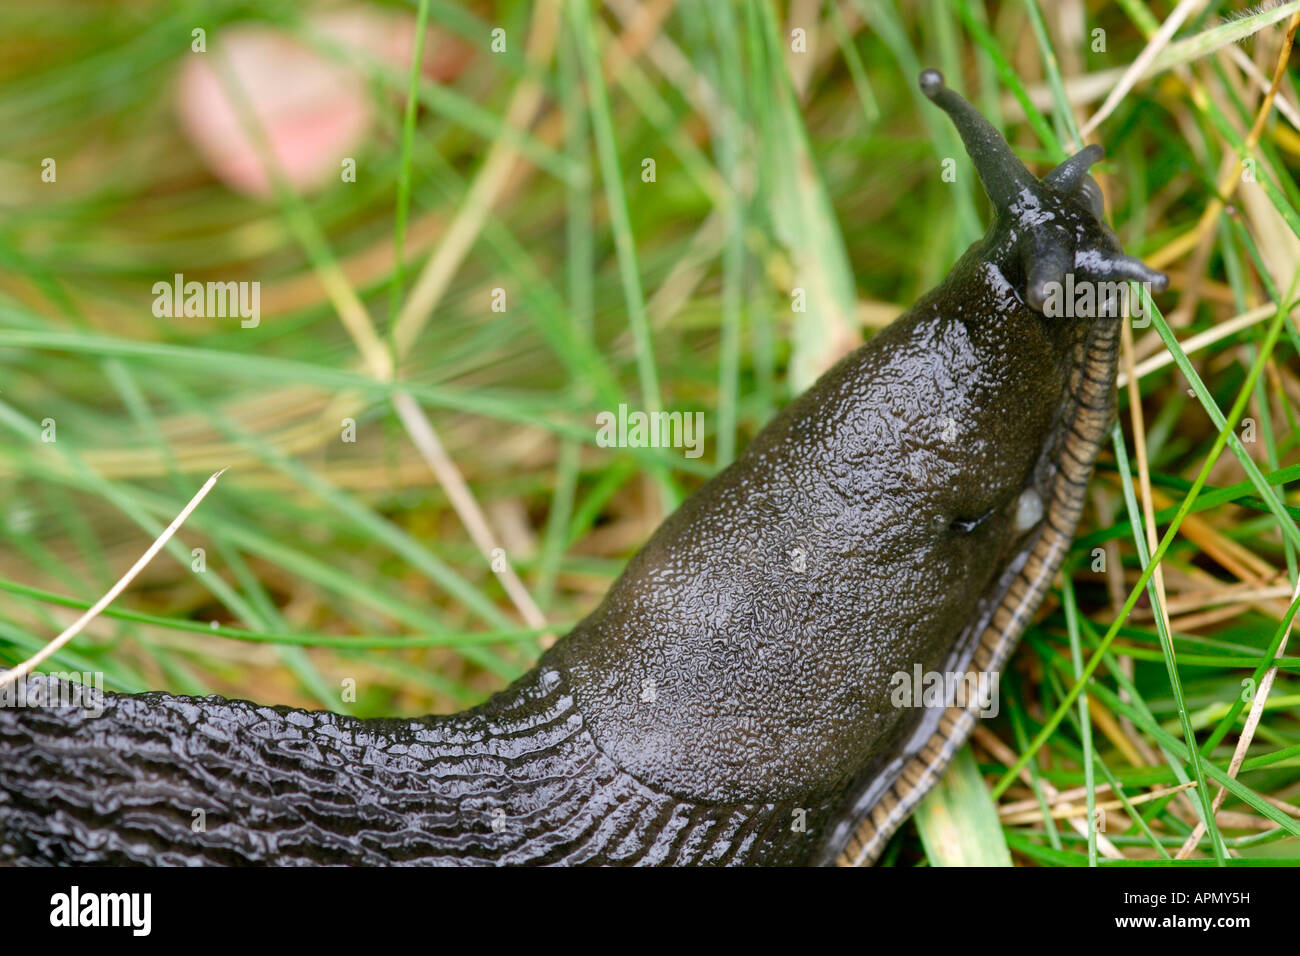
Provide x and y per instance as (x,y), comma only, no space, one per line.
(330,560)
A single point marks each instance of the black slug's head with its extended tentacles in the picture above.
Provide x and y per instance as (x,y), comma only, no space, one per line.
(1050,227)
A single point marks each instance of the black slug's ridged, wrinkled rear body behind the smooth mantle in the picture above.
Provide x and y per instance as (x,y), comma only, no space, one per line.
(185,781)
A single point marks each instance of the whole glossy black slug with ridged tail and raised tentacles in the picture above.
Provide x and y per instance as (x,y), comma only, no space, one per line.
(730,702)
